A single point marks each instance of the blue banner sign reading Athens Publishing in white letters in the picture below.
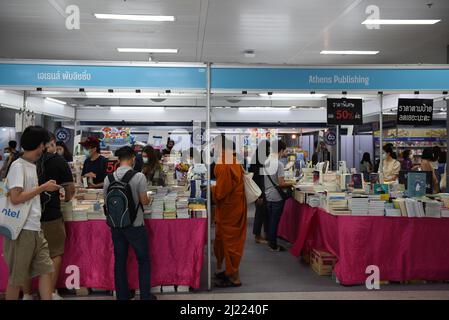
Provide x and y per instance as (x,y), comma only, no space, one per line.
(330,79)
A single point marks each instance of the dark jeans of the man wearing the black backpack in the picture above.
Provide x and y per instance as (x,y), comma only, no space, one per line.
(137,237)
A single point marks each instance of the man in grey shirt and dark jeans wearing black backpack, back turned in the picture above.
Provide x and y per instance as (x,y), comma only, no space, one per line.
(125,193)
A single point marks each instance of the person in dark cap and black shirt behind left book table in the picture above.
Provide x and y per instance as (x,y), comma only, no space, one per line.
(94,168)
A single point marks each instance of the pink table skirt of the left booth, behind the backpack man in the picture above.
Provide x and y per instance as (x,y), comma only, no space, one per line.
(176,252)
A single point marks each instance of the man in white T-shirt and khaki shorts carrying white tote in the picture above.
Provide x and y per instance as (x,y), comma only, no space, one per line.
(28,256)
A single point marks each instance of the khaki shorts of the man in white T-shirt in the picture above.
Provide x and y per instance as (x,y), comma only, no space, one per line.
(27,257)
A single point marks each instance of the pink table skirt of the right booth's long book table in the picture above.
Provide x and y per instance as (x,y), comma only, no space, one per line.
(402,248)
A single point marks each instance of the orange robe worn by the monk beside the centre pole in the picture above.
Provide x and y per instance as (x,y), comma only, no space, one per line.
(230,215)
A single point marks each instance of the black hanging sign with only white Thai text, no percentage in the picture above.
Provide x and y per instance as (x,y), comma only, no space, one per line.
(416,112)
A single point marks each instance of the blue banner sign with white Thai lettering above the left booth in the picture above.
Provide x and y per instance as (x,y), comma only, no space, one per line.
(85,76)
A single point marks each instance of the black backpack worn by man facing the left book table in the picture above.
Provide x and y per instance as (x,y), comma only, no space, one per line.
(119,206)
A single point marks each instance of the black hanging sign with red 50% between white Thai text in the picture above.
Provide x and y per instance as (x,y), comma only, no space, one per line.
(344,111)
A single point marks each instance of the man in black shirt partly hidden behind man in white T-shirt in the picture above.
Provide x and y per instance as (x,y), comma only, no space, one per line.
(52,166)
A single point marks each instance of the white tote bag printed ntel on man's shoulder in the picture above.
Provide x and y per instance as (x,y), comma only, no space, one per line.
(13,217)
